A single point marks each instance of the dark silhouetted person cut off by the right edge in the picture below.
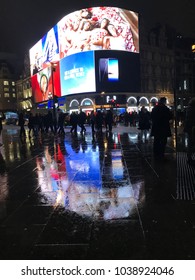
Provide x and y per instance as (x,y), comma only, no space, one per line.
(189,128)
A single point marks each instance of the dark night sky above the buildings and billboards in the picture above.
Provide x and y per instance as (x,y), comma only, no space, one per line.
(24,22)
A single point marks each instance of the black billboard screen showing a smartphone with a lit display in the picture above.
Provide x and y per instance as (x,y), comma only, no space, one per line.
(117,71)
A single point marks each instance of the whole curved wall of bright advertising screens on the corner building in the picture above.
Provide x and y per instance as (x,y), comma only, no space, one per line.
(76,42)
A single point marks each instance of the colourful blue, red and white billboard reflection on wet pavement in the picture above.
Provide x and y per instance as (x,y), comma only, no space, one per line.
(81,181)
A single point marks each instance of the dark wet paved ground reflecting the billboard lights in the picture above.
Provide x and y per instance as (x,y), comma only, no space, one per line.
(91,197)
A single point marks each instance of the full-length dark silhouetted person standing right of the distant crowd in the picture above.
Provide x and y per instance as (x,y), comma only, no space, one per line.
(161,116)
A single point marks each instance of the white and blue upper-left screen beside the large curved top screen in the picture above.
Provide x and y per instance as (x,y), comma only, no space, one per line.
(45,51)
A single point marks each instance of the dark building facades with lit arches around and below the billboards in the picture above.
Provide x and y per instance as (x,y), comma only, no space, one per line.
(166,69)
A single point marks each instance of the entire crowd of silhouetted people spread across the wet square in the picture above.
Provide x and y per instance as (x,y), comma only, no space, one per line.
(156,124)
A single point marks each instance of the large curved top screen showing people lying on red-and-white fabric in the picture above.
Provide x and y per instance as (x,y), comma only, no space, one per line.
(98,28)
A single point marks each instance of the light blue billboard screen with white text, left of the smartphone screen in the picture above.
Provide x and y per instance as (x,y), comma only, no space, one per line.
(78,73)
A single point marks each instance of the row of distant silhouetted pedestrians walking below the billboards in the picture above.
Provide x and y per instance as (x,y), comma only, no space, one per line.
(39,123)
